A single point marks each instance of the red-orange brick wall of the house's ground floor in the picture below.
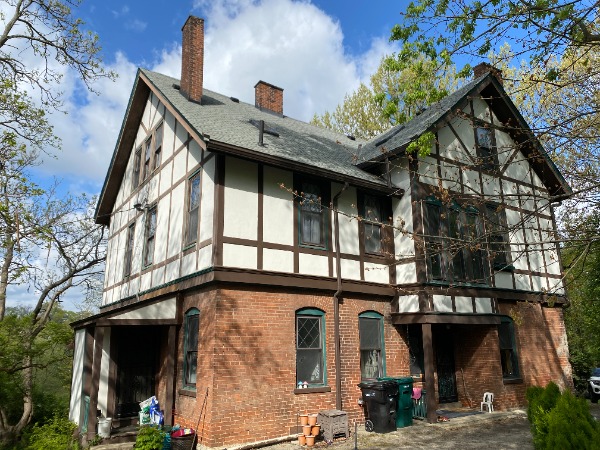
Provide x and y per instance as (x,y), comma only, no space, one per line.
(247,360)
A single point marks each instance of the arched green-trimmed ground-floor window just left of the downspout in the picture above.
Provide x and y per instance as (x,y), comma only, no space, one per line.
(310,347)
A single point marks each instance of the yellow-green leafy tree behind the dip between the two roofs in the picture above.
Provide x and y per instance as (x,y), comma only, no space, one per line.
(397,91)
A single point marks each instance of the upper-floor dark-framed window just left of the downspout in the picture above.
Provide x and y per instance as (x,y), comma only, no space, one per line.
(312,216)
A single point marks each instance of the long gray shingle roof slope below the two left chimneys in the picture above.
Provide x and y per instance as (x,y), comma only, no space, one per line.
(225,120)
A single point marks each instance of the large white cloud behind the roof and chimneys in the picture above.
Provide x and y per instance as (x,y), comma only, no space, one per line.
(291,44)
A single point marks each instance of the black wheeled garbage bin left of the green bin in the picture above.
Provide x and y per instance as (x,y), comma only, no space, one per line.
(380,399)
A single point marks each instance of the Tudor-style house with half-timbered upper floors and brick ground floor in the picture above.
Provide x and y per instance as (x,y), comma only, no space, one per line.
(259,267)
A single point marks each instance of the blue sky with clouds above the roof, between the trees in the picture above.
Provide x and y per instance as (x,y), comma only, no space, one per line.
(316,50)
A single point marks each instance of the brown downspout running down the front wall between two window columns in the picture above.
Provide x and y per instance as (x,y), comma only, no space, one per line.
(336,303)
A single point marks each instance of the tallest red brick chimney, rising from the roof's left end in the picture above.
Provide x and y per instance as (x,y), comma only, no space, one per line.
(192,58)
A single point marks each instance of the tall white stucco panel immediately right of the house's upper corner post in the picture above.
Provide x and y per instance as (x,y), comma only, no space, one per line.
(241,199)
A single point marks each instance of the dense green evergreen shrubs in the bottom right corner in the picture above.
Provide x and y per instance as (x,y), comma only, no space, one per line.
(560,421)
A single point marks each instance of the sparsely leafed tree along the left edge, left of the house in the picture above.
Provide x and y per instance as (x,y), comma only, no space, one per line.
(48,245)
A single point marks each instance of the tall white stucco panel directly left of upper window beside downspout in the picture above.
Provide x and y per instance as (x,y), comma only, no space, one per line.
(278,206)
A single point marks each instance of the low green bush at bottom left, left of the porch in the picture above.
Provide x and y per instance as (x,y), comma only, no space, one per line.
(57,434)
